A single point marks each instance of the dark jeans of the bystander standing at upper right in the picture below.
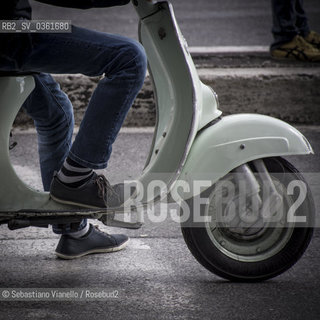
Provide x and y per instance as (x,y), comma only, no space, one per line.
(289,20)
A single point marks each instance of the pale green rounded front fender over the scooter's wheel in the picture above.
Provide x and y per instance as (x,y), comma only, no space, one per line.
(235,140)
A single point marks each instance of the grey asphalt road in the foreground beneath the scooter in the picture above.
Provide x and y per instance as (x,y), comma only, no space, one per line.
(155,277)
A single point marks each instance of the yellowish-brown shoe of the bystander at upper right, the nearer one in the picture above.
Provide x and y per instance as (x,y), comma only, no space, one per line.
(297,49)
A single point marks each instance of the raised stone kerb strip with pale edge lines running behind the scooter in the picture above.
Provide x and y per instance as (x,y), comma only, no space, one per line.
(246,79)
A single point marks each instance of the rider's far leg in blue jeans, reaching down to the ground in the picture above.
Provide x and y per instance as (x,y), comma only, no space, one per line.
(52,112)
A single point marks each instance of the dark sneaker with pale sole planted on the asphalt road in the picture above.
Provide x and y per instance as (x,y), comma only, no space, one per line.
(95,241)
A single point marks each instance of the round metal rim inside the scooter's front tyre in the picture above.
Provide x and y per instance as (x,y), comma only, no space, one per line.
(247,242)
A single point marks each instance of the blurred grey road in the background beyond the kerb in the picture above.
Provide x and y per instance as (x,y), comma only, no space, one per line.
(203,22)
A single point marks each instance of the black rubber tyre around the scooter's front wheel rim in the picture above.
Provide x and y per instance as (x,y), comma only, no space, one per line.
(215,260)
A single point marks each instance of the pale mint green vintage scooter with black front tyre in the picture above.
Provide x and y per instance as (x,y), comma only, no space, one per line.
(245,236)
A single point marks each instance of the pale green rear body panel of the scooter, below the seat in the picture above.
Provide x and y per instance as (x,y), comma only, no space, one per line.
(15,195)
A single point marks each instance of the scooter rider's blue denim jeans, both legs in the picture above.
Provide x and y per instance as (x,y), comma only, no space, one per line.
(123,63)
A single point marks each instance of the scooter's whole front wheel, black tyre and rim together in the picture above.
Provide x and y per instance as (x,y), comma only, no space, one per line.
(264,252)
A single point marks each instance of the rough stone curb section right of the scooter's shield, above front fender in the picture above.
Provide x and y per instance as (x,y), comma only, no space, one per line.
(289,94)
